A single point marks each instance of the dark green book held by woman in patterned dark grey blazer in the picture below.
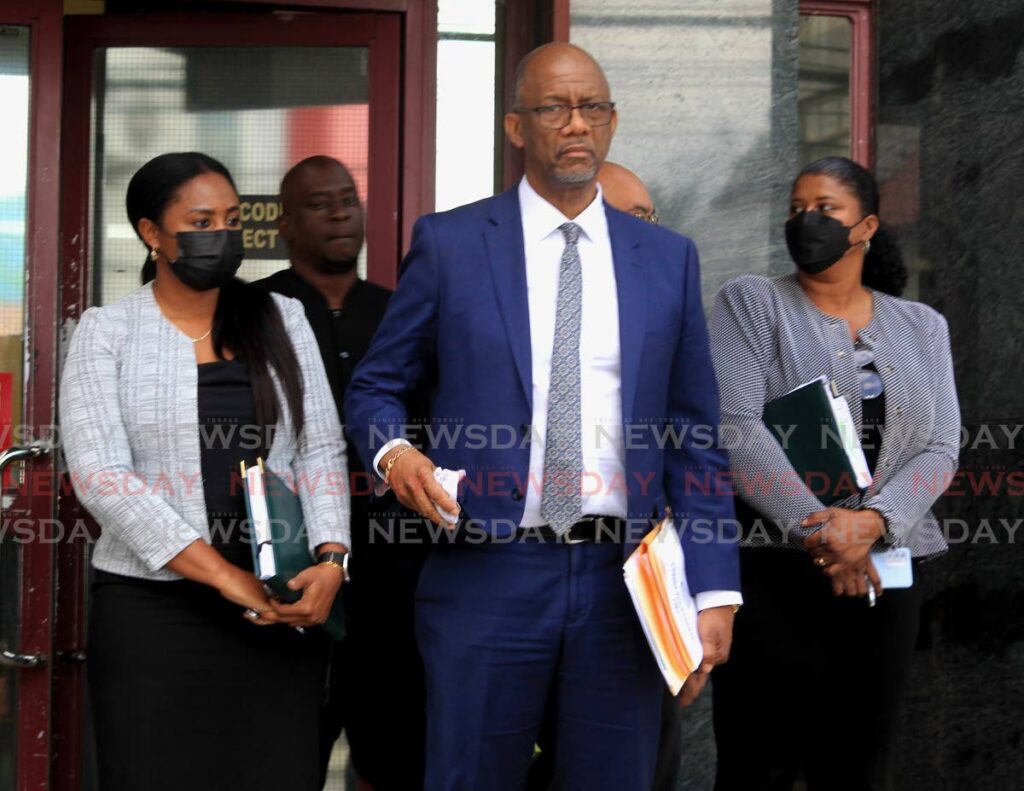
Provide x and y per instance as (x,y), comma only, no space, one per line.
(805,426)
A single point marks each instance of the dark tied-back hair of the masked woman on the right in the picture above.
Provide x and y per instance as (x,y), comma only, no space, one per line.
(884,268)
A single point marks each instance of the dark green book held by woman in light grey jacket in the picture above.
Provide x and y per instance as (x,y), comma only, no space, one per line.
(289,545)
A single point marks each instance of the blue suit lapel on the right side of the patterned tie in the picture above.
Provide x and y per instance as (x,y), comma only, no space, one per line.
(631,285)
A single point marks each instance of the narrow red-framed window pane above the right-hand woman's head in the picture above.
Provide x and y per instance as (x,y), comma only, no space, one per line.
(825,88)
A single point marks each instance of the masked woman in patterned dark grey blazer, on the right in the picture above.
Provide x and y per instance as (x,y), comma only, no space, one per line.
(817,675)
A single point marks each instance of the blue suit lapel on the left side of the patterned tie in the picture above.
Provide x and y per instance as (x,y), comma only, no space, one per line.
(508,268)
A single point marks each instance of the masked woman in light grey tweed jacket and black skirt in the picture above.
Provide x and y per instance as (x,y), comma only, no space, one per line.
(199,681)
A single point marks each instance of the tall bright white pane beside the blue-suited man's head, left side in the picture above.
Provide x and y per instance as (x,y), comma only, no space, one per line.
(465,122)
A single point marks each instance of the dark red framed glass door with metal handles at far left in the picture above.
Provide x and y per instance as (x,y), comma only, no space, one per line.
(28,297)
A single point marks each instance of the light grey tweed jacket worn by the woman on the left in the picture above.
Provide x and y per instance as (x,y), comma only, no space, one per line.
(130,421)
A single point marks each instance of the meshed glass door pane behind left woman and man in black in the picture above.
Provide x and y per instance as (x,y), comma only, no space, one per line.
(259,110)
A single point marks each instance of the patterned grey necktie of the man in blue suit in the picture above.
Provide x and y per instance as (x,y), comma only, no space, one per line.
(561,501)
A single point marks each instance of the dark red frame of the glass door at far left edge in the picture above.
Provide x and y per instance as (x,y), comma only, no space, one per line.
(41,296)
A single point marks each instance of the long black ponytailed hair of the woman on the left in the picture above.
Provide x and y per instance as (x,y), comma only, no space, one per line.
(247,320)
